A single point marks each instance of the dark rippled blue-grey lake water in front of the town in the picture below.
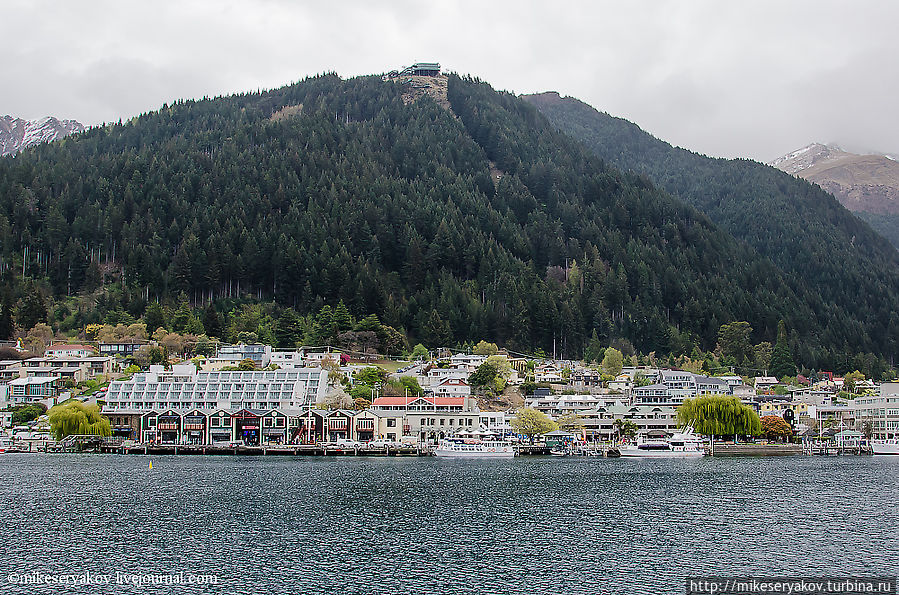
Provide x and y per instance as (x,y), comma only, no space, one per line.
(388,525)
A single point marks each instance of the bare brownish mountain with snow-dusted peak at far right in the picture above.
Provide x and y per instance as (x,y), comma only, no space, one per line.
(867,185)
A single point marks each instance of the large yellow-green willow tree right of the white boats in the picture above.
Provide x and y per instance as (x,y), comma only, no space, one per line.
(719,415)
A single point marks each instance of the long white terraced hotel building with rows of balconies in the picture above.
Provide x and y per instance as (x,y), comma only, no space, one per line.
(184,388)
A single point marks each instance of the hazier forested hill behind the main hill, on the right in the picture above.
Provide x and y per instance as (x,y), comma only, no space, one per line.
(812,239)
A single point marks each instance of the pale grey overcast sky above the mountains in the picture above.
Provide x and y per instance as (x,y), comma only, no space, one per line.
(733,79)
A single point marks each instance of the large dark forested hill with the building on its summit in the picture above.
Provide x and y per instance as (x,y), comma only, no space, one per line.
(479,222)
